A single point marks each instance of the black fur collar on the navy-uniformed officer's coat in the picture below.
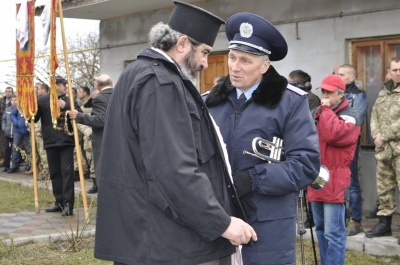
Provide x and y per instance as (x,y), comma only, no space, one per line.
(269,92)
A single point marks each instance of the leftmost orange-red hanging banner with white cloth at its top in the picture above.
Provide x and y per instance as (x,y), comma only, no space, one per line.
(26,95)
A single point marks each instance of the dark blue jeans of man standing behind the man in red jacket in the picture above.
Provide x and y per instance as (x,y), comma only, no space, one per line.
(355,200)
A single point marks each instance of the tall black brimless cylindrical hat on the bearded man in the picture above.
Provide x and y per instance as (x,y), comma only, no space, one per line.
(195,22)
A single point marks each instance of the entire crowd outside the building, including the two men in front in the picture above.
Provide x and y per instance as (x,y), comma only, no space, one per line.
(174,185)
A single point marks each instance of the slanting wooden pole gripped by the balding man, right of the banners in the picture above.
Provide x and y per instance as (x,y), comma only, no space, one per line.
(71,100)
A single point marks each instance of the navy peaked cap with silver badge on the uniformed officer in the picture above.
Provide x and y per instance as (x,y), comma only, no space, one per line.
(253,34)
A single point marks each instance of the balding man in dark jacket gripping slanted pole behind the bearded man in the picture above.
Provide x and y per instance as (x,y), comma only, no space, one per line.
(96,119)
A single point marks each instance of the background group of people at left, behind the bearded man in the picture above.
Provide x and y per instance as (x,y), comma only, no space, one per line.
(55,145)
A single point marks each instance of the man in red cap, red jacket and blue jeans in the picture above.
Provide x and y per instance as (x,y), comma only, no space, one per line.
(338,129)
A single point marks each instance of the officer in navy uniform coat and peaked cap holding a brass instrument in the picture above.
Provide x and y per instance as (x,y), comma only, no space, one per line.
(255,101)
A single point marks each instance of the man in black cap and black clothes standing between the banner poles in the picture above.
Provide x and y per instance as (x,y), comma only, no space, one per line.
(59,145)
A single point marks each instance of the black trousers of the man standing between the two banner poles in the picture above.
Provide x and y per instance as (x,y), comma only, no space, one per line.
(61,167)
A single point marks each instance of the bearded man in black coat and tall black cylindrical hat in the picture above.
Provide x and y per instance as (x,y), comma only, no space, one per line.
(165,195)
